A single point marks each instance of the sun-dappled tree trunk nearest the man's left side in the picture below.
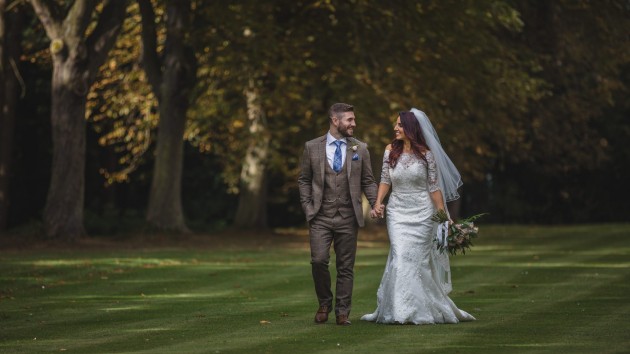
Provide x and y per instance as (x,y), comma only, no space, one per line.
(252,203)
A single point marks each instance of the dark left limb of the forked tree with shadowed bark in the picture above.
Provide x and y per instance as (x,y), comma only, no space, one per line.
(150,60)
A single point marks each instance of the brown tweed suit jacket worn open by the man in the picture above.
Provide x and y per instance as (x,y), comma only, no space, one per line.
(311,178)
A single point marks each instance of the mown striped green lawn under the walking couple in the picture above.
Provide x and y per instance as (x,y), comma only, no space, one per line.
(532,289)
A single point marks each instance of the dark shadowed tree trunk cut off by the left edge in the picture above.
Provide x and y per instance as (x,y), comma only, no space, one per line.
(11,23)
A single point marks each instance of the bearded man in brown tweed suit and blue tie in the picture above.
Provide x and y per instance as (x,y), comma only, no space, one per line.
(335,169)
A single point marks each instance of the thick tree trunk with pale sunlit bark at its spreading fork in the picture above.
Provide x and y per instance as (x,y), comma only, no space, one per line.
(76,59)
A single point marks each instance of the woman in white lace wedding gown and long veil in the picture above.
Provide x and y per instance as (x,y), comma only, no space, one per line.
(416,282)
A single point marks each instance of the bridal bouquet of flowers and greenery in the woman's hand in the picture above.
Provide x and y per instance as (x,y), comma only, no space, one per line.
(455,237)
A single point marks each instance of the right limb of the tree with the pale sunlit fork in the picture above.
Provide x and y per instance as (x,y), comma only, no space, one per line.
(103,38)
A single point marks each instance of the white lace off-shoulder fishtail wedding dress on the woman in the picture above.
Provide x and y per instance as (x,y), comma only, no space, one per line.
(416,280)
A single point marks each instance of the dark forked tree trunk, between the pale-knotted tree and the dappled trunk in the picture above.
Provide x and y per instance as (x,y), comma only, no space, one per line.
(172,85)
